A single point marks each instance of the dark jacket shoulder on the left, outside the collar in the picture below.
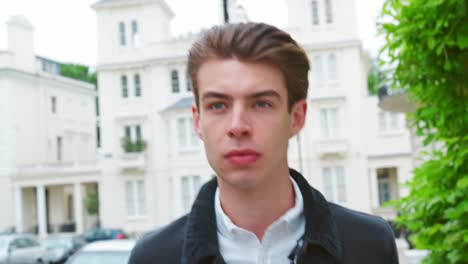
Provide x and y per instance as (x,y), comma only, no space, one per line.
(161,245)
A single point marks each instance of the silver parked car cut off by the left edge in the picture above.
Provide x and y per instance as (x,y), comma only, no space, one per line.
(21,248)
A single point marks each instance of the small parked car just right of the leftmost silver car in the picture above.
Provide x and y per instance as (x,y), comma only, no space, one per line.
(61,246)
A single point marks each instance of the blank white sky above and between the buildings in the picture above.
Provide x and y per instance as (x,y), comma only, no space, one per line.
(65,30)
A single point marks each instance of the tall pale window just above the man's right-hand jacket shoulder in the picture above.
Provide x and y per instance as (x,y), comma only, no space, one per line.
(334,184)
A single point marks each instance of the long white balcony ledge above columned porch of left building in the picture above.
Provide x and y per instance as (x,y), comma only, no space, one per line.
(60,168)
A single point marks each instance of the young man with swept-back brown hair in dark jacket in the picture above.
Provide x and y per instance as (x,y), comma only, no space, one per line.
(250,85)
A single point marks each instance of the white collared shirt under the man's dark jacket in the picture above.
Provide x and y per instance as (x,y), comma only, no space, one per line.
(240,246)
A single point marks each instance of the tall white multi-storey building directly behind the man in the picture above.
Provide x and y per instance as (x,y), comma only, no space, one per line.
(350,150)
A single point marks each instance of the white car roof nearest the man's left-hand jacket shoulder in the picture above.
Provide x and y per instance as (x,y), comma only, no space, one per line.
(111,251)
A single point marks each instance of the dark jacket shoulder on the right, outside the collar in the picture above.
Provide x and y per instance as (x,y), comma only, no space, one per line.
(360,231)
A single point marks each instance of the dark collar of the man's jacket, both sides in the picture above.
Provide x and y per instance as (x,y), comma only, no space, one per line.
(201,240)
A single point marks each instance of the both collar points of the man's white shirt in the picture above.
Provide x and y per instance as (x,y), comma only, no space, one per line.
(291,218)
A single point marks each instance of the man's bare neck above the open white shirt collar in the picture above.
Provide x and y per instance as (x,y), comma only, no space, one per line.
(256,209)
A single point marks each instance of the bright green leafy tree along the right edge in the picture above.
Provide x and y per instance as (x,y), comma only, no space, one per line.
(427,43)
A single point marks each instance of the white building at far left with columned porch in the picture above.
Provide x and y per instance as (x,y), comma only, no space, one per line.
(47,140)
